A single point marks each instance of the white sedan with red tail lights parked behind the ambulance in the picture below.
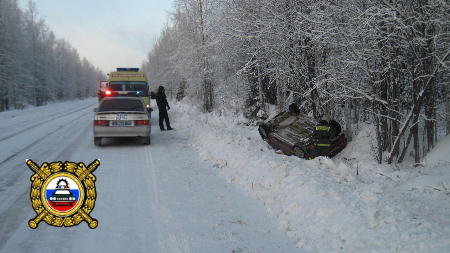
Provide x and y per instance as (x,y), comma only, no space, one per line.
(121,117)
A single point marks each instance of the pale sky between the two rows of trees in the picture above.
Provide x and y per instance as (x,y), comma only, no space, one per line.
(109,33)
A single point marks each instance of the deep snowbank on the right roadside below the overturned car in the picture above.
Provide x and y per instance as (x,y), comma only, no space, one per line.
(345,204)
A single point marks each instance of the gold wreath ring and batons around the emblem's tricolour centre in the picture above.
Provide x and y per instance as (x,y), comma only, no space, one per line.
(83,173)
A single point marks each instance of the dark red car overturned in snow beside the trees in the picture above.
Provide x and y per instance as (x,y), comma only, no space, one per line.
(291,132)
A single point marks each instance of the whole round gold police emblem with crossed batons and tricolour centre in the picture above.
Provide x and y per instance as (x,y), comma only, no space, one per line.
(63,195)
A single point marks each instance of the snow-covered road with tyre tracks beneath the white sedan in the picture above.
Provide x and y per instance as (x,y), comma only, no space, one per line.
(156,198)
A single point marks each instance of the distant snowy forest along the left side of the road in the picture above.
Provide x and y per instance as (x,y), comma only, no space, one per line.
(35,66)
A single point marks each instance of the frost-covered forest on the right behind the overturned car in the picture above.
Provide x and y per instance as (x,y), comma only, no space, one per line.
(379,62)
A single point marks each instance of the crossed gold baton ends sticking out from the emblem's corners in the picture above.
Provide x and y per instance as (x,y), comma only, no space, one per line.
(43,172)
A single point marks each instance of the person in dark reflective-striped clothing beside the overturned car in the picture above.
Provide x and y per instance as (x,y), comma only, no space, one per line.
(322,136)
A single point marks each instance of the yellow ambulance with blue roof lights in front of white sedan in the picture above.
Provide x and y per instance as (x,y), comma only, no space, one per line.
(128,82)
